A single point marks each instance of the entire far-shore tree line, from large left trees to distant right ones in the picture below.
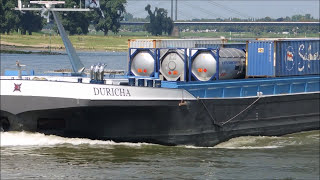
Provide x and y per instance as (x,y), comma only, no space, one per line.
(114,12)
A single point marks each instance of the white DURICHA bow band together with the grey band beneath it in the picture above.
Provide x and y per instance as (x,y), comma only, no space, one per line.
(28,95)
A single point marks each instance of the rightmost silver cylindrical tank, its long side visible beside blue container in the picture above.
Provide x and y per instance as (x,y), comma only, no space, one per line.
(204,64)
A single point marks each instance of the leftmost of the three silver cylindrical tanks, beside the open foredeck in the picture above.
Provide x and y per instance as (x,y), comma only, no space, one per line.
(142,62)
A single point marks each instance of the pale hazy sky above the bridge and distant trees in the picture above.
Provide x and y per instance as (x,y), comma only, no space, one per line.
(191,9)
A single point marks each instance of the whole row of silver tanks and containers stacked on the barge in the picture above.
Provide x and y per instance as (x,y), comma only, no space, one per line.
(183,60)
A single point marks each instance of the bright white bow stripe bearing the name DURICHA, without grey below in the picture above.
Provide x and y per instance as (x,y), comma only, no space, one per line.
(89,91)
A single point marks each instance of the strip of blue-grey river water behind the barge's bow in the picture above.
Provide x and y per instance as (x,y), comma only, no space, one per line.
(43,63)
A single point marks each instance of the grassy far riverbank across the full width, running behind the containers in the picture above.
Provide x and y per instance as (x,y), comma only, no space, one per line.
(48,44)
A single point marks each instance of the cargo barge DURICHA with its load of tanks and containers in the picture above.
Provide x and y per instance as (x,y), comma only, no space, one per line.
(172,96)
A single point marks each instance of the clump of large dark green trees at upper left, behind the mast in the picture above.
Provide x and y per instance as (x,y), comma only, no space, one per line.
(74,22)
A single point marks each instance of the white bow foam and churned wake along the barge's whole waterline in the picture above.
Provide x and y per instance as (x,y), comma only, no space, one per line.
(244,142)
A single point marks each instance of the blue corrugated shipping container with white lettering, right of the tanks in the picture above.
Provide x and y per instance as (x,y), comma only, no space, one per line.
(282,57)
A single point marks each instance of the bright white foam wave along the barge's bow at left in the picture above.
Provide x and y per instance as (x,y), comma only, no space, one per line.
(39,139)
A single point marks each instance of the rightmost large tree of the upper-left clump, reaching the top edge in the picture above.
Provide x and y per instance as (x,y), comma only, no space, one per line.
(113,11)
